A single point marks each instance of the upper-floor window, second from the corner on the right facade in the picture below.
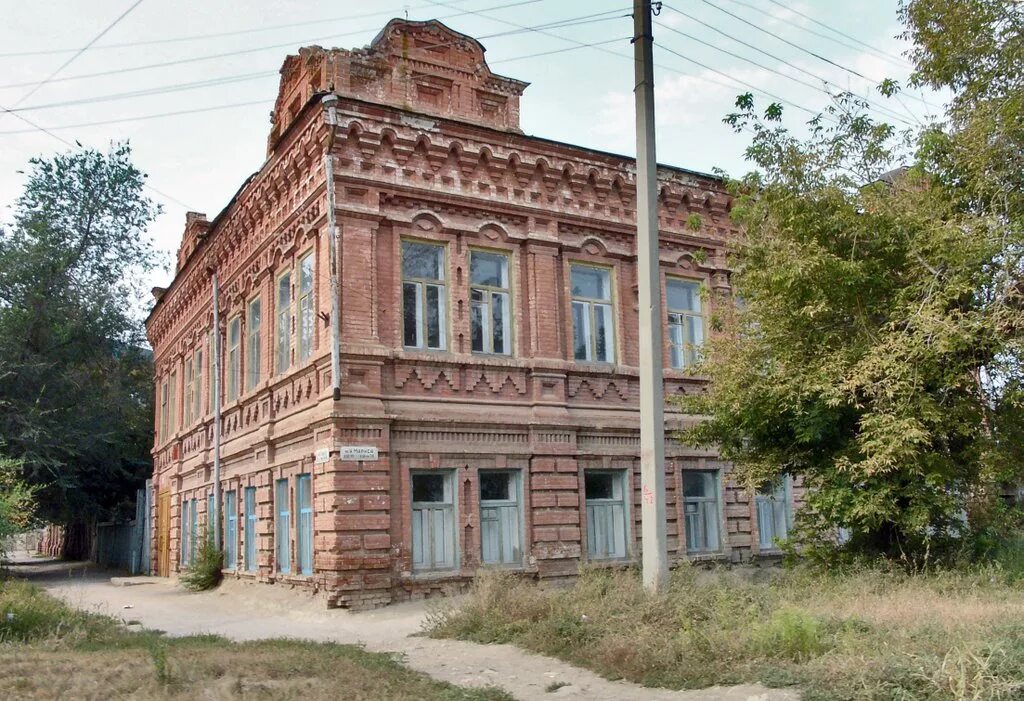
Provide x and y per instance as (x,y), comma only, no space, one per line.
(491,316)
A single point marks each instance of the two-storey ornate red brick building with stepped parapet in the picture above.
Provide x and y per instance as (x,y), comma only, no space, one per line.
(489,352)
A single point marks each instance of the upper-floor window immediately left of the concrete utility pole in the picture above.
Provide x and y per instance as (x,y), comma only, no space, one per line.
(593,324)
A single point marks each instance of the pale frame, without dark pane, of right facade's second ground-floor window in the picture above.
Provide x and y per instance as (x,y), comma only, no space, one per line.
(502,522)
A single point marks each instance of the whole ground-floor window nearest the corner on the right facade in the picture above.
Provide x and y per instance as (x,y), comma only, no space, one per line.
(434,521)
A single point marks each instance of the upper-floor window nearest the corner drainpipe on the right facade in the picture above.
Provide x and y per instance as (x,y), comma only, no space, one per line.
(423,298)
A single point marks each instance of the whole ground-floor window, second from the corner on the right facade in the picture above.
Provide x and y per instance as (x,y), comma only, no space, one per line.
(501,530)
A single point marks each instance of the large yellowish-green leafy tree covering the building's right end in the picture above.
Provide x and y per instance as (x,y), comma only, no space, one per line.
(877,353)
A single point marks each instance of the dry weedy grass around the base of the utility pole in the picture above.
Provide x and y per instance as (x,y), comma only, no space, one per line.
(867,635)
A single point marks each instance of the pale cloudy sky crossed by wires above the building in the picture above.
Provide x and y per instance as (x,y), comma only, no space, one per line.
(203,74)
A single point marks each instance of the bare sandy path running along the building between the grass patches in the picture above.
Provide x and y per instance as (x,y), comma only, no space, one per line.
(245,611)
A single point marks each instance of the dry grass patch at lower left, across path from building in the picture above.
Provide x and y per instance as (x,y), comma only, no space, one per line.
(49,651)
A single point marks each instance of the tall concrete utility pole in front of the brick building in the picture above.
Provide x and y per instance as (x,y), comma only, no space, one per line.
(656,552)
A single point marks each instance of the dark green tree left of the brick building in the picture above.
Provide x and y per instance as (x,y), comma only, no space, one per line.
(75,376)
